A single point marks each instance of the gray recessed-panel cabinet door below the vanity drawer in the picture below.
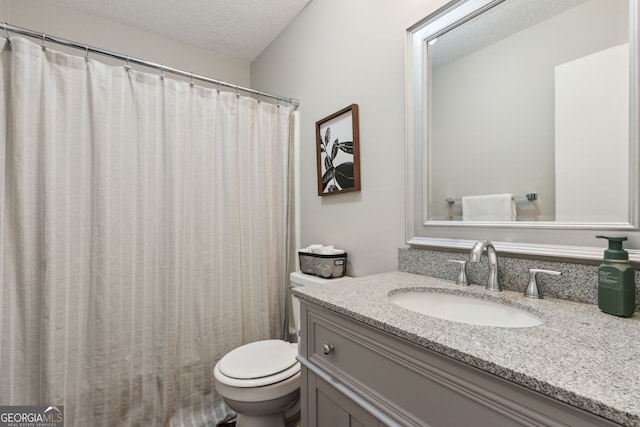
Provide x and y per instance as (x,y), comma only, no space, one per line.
(327,407)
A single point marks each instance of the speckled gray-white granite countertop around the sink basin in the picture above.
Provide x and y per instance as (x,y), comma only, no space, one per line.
(580,355)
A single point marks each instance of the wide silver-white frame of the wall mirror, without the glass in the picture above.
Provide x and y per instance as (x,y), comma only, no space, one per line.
(577,240)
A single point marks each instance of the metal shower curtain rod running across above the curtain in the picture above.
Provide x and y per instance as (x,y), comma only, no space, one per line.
(8,28)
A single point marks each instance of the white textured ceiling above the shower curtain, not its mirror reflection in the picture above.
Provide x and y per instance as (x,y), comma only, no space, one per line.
(239,29)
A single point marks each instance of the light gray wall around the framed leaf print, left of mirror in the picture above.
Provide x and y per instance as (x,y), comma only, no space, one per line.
(333,54)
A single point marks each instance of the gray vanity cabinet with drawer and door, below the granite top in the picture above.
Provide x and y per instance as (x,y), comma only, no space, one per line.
(357,375)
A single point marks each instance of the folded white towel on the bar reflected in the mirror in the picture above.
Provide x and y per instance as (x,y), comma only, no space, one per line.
(492,207)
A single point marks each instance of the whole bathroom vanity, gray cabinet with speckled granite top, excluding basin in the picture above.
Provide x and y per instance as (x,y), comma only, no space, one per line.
(367,361)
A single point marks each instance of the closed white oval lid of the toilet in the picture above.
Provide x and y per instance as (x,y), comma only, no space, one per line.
(258,359)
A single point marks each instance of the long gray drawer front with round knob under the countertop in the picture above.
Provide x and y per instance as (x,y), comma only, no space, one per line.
(416,386)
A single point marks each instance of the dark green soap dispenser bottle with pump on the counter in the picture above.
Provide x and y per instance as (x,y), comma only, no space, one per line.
(616,280)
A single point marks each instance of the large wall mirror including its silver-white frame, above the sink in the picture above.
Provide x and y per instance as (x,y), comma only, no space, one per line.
(523,121)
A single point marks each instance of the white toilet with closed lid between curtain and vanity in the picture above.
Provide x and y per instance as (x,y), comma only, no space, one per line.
(260,381)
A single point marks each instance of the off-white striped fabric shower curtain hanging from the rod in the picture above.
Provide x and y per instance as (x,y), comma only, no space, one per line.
(144,234)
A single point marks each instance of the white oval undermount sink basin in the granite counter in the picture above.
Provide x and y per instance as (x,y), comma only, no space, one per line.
(465,309)
